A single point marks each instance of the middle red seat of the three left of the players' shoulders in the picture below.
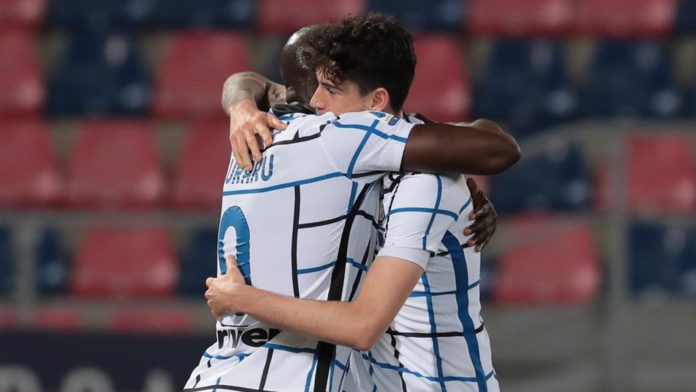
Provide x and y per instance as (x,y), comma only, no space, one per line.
(115,164)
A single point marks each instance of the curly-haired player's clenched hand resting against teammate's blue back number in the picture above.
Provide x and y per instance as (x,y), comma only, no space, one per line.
(221,290)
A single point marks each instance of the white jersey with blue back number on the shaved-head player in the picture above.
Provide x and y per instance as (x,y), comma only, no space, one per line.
(302,224)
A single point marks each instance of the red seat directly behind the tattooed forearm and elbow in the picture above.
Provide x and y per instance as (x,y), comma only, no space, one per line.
(191,75)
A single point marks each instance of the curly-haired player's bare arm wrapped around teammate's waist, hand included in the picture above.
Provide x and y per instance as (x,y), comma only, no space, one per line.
(357,324)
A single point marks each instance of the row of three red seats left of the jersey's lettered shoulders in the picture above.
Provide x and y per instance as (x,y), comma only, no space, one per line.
(114,164)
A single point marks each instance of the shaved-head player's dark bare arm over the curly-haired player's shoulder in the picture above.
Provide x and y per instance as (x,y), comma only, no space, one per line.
(477,148)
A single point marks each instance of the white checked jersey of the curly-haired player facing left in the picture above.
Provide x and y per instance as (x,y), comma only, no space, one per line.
(437,342)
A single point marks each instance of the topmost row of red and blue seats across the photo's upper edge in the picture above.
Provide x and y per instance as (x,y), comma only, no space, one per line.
(477,17)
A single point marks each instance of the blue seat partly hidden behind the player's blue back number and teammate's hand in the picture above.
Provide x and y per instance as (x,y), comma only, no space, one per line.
(198,262)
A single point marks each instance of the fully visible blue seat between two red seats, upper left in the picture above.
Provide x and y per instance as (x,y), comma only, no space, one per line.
(99,73)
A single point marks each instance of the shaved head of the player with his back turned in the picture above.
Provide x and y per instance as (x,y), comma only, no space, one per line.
(296,64)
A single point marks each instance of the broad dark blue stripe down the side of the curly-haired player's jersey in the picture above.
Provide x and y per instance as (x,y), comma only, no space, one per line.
(461,275)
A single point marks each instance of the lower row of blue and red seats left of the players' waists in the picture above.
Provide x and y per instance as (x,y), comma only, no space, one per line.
(114,262)
